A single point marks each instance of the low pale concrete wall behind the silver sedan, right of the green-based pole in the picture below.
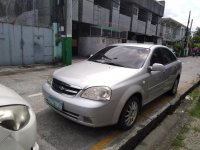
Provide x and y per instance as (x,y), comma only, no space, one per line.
(91,45)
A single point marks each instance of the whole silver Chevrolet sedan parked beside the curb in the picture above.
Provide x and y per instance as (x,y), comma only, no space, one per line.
(113,85)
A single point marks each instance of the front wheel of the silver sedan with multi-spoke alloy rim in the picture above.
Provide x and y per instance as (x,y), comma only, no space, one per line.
(129,114)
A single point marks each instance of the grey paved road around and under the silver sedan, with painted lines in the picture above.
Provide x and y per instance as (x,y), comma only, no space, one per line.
(57,133)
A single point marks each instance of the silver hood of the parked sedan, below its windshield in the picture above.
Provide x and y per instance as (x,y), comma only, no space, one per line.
(88,73)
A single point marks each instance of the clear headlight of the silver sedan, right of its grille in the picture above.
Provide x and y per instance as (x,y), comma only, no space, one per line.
(97,93)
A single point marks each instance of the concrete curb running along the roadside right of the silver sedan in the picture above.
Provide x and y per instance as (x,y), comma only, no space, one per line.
(129,140)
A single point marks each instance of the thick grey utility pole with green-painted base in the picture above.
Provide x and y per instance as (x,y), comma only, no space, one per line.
(67,38)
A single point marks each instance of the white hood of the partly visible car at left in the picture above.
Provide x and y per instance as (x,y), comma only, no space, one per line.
(10,97)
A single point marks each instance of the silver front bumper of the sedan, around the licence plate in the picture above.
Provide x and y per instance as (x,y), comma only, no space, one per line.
(87,112)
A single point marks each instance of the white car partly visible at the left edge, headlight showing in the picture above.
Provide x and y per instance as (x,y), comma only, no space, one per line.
(17,122)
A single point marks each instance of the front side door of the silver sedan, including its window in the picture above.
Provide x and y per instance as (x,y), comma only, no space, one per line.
(156,78)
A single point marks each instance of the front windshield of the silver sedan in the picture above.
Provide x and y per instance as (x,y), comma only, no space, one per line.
(123,56)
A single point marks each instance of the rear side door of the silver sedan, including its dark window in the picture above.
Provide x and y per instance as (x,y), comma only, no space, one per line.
(169,60)
